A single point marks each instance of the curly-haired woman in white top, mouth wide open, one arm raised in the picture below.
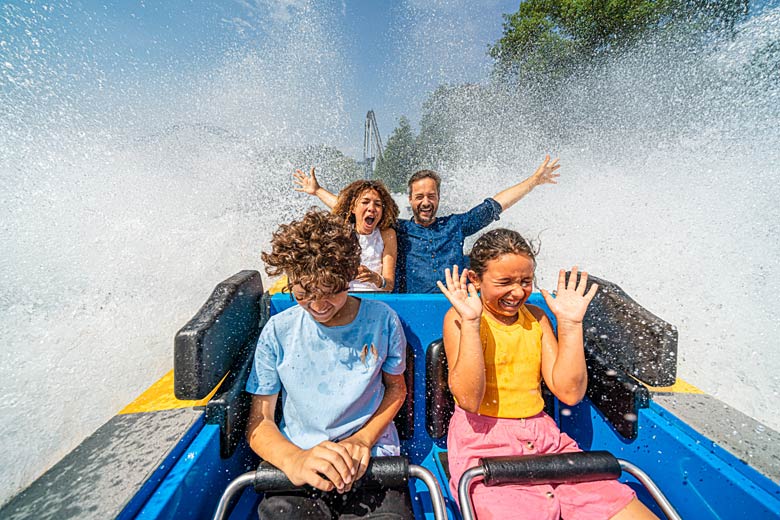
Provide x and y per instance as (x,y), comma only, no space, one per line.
(368,206)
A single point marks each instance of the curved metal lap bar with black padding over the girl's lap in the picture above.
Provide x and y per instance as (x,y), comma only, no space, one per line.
(558,468)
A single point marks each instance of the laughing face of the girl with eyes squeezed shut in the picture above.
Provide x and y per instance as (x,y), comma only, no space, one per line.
(505,285)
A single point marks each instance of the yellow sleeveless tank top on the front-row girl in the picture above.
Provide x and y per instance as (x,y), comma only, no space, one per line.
(513,366)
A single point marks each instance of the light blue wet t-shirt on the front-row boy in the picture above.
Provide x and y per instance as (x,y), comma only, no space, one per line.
(330,378)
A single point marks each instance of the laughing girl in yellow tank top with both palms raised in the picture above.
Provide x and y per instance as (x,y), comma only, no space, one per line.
(498,350)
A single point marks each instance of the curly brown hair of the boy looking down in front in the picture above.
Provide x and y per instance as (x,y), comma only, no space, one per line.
(318,252)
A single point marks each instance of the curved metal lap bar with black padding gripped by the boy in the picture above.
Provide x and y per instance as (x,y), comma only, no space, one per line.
(376,472)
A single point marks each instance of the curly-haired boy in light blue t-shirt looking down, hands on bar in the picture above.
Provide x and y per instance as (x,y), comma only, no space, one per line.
(337,361)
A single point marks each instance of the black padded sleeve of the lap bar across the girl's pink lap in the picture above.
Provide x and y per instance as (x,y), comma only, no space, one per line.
(551,469)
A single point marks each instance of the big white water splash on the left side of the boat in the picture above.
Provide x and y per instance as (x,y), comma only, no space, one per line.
(125,198)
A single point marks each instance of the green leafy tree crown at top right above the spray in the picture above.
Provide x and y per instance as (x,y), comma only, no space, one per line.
(548,39)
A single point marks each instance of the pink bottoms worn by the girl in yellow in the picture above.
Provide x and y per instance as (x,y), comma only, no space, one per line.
(473,436)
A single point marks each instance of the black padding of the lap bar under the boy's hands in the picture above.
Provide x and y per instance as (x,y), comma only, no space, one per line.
(382,472)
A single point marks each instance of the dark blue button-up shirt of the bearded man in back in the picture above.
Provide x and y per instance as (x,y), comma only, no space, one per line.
(424,252)
